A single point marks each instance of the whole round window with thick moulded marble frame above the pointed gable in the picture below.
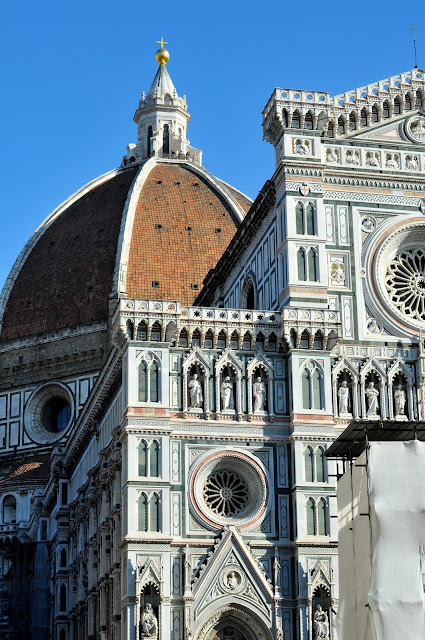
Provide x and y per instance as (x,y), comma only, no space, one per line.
(228,487)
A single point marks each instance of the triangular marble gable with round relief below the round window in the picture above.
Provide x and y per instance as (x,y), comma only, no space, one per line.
(232,573)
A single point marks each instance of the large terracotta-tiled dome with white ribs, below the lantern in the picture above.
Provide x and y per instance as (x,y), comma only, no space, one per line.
(152,231)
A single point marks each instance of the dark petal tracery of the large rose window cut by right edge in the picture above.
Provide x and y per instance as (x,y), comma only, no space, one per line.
(405,283)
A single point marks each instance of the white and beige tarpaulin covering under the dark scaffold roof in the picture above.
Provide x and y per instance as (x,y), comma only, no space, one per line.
(380,556)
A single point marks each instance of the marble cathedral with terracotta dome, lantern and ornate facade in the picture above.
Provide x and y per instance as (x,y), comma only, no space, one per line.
(176,359)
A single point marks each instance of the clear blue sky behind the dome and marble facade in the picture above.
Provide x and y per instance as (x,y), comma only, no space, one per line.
(72,74)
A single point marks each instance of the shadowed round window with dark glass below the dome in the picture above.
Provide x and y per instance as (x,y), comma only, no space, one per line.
(49,413)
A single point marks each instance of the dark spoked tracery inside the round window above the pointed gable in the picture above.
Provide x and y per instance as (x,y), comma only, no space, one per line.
(225,493)
